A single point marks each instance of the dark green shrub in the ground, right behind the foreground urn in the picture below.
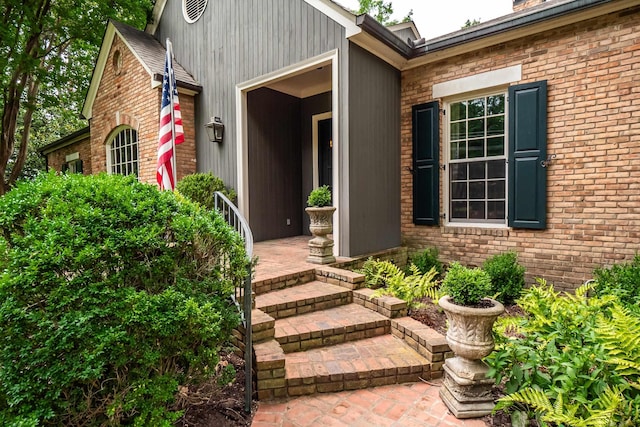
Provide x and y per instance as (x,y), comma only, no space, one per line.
(507,276)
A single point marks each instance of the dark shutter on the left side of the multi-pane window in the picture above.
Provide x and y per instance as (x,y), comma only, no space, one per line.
(426,185)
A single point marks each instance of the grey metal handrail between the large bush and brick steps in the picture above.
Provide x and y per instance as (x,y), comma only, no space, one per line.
(234,218)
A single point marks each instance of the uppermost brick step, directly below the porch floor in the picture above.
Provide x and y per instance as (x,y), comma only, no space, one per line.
(302,299)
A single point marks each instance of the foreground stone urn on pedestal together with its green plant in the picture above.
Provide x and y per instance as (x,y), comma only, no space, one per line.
(470,313)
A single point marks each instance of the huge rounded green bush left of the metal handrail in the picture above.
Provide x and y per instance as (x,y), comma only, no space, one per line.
(111,295)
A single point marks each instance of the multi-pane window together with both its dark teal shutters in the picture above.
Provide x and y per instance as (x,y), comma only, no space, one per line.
(492,162)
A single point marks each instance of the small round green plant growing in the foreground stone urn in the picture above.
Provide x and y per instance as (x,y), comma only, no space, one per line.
(466,286)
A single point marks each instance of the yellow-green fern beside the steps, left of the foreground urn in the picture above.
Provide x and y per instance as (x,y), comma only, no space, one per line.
(412,287)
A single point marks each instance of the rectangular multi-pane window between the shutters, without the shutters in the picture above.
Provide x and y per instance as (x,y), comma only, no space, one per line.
(476,153)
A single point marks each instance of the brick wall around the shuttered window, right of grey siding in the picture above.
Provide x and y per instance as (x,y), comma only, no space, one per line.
(593,212)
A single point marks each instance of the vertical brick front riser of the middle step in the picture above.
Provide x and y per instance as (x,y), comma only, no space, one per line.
(317,339)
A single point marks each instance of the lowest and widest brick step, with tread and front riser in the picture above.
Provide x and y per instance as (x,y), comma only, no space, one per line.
(365,363)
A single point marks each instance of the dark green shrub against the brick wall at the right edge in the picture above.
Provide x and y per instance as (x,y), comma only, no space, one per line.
(622,280)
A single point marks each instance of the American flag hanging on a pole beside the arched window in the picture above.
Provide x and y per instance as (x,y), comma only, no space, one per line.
(171,131)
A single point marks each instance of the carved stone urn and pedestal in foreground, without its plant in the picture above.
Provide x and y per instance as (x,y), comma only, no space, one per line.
(466,389)
